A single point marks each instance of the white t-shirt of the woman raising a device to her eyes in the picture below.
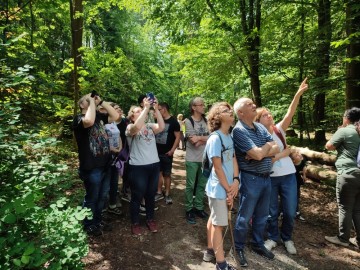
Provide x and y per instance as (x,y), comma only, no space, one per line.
(143,146)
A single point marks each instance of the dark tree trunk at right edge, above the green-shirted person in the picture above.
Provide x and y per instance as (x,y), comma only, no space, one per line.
(353,52)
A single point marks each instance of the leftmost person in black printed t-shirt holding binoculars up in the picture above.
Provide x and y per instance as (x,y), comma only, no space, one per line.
(94,156)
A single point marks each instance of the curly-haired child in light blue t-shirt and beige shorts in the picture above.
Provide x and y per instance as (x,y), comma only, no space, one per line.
(223,182)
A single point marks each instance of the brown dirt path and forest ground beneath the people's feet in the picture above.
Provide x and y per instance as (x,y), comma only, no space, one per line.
(180,246)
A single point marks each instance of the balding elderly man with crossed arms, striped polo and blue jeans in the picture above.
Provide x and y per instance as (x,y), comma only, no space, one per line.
(254,147)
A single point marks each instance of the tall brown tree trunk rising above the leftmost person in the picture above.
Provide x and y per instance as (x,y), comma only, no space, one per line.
(76,17)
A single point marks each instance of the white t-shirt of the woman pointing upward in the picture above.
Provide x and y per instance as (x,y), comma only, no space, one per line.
(283,166)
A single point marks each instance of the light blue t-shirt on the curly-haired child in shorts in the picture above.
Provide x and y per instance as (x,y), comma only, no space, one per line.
(213,149)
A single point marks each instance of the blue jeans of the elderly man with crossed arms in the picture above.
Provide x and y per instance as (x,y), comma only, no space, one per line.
(254,203)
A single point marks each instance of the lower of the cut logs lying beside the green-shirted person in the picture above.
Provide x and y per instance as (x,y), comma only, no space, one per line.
(321,173)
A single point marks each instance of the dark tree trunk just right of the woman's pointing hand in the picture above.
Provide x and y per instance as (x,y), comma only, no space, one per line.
(322,70)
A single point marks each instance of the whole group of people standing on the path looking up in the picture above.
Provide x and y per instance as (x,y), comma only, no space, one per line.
(251,160)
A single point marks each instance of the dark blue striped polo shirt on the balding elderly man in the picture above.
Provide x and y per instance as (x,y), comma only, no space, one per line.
(246,138)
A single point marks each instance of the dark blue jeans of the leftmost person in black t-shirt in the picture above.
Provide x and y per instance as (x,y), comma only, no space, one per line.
(96,182)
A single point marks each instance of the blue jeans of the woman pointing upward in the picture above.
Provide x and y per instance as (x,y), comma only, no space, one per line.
(286,187)
